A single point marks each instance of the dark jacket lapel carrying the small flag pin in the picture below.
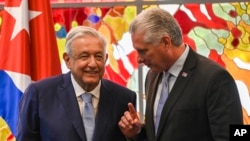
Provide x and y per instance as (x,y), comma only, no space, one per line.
(179,86)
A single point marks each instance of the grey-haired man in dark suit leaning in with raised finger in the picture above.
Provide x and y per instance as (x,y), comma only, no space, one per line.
(202,98)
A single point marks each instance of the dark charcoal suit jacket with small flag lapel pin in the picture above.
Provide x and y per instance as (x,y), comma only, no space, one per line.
(200,106)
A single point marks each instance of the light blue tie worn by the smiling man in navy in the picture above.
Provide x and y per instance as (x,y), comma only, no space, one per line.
(88,116)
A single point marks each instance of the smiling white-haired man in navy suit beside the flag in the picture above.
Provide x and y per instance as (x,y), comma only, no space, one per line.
(52,109)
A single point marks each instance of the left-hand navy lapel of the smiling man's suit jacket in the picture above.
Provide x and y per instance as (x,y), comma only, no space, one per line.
(68,98)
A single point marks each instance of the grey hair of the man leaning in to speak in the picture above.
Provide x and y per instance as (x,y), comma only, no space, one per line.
(156,23)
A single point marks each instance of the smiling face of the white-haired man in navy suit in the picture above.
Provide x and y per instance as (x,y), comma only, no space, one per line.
(87,61)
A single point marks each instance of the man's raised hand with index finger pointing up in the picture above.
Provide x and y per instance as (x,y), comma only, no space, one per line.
(130,123)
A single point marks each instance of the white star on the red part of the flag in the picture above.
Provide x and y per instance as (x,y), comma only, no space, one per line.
(23,15)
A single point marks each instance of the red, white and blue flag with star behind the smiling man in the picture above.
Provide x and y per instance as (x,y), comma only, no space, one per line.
(28,51)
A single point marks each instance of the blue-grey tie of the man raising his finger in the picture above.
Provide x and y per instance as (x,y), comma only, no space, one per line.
(163,98)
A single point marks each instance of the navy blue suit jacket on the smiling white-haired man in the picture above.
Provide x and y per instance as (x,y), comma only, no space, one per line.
(49,111)
